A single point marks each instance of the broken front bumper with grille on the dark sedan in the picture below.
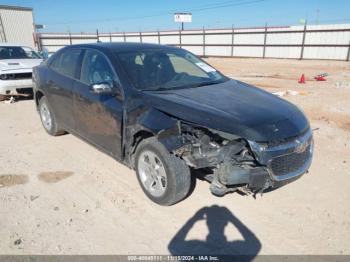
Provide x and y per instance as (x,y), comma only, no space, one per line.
(279,164)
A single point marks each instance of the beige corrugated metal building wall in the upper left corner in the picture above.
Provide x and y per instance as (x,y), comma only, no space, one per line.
(18,26)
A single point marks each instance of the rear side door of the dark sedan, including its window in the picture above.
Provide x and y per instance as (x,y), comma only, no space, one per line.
(64,72)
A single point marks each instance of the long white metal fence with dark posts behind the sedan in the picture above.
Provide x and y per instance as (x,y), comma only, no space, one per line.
(295,42)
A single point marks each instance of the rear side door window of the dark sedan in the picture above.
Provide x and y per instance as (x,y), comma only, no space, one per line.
(66,63)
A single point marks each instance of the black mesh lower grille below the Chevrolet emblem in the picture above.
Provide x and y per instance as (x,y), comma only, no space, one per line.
(290,163)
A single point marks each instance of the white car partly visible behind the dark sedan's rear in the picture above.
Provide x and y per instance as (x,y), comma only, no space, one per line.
(16,64)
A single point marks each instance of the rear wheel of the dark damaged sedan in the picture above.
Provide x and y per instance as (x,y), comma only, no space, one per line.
(48,119)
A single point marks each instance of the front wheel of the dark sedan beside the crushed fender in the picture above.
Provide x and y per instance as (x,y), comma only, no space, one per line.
(164,178)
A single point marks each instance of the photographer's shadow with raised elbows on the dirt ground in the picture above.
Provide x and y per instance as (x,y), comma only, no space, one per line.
(216,243)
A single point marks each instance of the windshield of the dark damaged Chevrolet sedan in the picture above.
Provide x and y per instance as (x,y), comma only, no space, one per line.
(167,69)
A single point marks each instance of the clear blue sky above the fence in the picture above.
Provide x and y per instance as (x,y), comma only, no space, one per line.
(148,15)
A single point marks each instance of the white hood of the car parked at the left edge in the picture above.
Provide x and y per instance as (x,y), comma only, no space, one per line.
(17,65)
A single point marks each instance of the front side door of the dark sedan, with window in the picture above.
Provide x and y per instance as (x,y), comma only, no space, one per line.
(98,117)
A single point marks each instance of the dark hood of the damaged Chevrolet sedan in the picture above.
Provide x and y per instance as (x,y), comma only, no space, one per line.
(233,107)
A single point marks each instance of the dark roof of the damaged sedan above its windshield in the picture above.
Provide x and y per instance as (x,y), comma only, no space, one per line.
(121,46)
